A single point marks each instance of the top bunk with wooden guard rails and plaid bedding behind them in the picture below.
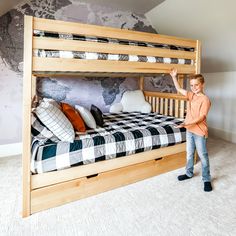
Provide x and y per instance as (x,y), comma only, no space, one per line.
(58,48)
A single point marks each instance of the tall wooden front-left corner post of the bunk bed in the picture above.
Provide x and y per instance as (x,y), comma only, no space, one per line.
(27,94)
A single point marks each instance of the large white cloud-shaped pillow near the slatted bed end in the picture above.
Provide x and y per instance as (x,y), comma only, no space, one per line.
(135,101)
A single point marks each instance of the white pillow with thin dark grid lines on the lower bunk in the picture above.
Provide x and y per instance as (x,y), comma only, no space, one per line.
(54,119)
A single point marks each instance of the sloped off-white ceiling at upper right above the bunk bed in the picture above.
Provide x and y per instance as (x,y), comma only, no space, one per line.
(210,21)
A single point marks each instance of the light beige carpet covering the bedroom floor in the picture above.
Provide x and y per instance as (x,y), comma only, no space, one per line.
(157,206)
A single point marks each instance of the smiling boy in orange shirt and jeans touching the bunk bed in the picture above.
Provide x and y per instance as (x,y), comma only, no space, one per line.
(195,123)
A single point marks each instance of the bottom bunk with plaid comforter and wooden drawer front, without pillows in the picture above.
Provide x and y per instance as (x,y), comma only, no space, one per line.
(129,147)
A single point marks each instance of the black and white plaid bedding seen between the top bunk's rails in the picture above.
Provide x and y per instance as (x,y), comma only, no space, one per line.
(107,56)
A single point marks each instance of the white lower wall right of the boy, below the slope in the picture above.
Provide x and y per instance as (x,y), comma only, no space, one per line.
(221,88)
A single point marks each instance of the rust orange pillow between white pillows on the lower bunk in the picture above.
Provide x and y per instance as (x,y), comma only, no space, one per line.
(74,117)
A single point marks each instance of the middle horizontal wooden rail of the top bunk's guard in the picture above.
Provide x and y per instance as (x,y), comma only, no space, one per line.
(86,46)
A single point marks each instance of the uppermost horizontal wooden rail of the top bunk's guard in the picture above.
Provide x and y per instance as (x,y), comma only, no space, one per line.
(108,32)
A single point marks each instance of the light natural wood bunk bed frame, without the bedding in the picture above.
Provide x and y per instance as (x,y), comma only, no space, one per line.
(51,189)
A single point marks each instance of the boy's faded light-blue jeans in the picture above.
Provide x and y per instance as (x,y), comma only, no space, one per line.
(195,141)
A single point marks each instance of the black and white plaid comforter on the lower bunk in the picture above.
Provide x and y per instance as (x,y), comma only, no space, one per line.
(123,134)
